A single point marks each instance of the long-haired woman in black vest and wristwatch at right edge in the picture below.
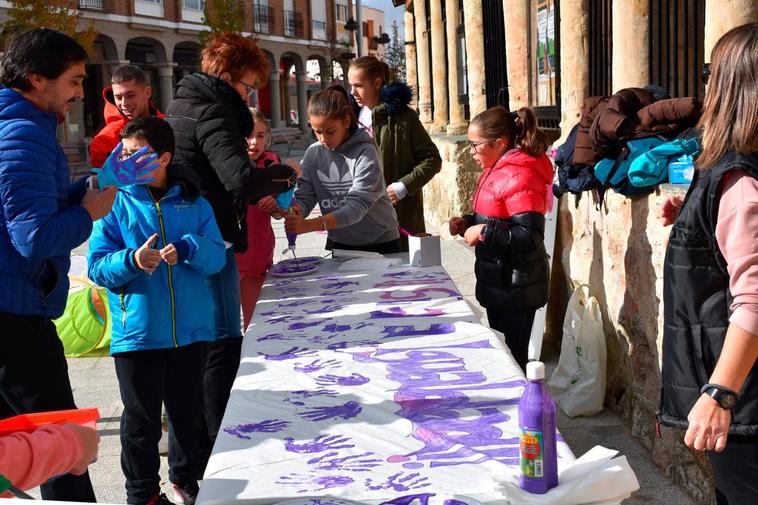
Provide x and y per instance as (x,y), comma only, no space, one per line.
(710,298)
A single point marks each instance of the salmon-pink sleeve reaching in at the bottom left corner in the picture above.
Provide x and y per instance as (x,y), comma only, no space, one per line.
(30,459)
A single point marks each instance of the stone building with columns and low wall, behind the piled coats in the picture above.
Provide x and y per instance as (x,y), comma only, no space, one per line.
(464,56)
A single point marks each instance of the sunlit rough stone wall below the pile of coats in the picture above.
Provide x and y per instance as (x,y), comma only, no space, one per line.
(618,250)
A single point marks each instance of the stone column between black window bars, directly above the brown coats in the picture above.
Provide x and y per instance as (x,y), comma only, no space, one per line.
(630,43)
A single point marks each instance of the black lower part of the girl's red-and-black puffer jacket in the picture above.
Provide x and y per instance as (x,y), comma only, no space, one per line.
(512,267)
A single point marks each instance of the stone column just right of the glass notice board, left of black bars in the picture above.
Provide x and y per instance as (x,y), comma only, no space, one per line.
(575,74)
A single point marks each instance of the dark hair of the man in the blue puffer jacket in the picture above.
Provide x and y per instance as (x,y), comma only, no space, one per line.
(40,51)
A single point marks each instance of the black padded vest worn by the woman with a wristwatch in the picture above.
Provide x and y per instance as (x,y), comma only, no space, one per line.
(696,303)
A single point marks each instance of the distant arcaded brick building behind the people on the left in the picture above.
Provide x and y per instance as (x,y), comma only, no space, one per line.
(161,36)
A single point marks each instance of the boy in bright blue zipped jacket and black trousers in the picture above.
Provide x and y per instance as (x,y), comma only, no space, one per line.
(152,253)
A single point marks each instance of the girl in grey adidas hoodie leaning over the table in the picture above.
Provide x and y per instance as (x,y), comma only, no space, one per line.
(343,175)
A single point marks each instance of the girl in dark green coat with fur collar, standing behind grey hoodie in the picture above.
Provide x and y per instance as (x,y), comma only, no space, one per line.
(409,158)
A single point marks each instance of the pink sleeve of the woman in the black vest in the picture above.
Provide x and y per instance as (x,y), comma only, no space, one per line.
(737,237)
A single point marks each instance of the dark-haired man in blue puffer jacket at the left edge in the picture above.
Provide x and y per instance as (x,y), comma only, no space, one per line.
(42,218)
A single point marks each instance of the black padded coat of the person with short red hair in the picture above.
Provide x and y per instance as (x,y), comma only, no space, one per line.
(211,123)
